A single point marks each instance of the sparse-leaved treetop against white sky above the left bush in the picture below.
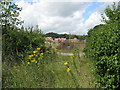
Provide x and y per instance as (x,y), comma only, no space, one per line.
(9,17)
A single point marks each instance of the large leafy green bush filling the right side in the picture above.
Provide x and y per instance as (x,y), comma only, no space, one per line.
(103,46)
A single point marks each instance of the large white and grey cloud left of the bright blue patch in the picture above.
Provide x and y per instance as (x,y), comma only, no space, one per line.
(56,17)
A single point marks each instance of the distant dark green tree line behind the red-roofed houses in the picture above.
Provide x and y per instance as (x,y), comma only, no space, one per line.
(68,36)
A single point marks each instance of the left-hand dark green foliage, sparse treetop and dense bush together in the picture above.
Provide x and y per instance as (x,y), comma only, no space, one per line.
(17,41)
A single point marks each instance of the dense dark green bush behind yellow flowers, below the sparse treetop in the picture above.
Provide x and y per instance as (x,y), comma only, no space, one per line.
(19,41)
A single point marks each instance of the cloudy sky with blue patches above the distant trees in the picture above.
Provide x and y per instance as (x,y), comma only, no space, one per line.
(74,17)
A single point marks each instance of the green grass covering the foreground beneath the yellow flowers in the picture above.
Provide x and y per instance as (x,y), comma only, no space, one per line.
(51,74)
